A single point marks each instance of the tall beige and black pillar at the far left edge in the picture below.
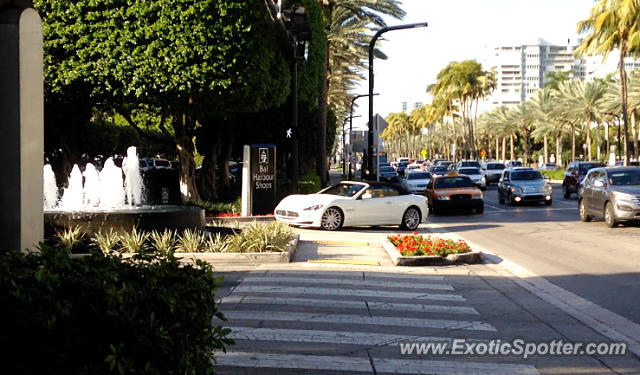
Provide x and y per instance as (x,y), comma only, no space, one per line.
(21,126)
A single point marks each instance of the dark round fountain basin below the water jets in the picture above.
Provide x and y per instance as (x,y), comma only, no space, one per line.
(146,218)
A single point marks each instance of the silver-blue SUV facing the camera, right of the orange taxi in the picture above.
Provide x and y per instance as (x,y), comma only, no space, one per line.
(523,184)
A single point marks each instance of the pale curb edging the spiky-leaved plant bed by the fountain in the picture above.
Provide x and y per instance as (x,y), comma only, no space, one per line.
(268,257)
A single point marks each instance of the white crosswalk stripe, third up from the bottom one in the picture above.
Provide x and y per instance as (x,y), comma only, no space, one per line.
(357,319)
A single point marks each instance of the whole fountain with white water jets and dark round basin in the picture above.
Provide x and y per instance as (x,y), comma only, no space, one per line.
(111,198)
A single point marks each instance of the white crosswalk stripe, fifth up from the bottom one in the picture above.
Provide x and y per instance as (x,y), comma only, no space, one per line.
(248,288)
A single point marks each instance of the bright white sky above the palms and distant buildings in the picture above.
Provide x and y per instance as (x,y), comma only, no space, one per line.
(458,30)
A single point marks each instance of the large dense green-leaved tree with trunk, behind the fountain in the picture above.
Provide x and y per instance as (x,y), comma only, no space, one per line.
(183,58)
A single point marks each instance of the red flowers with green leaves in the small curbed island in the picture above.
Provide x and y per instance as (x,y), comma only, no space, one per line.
(415,244)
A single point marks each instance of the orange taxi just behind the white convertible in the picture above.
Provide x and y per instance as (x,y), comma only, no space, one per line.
(454,192)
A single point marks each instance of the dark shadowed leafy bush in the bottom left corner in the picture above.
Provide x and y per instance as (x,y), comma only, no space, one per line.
(105,315)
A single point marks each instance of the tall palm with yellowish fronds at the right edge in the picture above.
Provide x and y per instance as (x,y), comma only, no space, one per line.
(613,24)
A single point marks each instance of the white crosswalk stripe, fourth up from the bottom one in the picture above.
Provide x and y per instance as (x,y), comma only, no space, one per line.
(372,305)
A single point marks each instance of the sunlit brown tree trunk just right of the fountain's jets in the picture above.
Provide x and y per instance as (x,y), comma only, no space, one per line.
(185,149)
